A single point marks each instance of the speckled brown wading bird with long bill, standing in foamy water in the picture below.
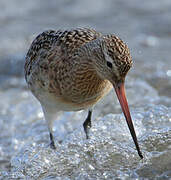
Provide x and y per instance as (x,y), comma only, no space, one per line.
(72,70)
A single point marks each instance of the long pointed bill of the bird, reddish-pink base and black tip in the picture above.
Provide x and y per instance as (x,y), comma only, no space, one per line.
(120,91)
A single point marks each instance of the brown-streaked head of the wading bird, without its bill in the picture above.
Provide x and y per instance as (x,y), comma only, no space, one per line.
(115,60)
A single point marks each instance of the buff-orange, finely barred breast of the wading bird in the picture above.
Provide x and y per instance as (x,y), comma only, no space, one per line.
(79,86)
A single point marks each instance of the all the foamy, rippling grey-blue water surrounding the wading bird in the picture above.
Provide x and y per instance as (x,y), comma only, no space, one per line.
(110,153)
